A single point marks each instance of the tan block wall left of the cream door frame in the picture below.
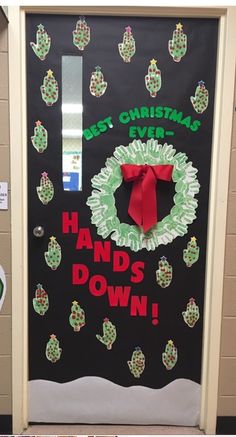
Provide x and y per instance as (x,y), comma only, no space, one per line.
(5,227)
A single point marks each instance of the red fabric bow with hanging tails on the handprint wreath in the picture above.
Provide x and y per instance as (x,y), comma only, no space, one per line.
(143,202)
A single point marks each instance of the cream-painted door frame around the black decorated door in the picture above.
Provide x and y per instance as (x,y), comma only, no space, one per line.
(222,129)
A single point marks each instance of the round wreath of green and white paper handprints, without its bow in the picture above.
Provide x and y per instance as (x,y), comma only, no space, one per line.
(105,183)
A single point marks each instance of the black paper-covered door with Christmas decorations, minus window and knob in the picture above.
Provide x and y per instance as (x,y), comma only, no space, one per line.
(116,311)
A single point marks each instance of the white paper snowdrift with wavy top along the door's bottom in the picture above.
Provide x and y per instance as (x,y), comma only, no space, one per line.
(97,400)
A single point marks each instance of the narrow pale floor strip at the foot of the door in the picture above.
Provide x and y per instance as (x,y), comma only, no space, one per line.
(126,430)
